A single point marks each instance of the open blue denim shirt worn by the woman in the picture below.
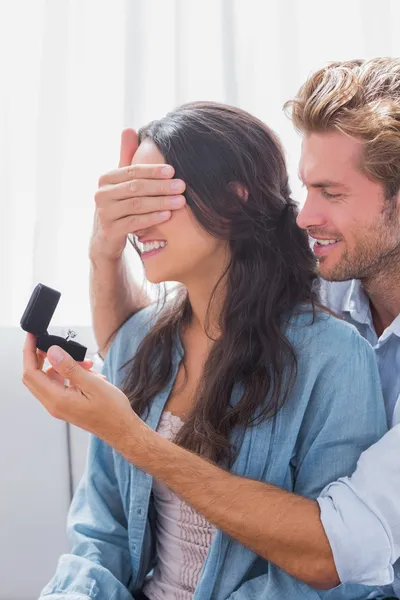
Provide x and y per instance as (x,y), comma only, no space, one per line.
(335,411)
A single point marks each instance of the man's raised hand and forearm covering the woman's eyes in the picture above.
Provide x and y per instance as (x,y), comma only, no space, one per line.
(129,199)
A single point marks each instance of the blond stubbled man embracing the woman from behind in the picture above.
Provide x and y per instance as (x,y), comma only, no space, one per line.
(349,114)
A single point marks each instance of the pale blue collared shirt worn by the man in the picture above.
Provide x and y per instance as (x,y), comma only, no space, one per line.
(361,513)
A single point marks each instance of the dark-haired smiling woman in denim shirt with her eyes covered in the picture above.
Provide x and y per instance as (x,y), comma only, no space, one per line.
(241,365)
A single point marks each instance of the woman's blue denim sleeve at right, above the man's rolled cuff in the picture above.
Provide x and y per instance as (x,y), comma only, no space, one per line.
(345,415)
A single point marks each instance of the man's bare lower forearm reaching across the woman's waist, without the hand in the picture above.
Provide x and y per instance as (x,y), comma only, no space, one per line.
(279,526)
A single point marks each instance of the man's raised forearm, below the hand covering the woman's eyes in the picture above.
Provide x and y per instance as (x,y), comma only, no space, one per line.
(114,295)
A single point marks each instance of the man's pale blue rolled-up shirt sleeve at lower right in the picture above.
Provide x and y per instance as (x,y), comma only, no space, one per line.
(361,515)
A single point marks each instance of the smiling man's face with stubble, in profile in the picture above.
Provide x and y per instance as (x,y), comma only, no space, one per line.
(357,230)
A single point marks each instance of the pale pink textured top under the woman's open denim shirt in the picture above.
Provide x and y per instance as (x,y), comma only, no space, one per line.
(183,537)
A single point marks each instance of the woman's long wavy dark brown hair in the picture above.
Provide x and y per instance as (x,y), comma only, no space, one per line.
(237,187)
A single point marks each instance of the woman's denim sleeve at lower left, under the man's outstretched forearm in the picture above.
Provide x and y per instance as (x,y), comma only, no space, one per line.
(99,564)
